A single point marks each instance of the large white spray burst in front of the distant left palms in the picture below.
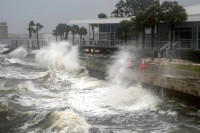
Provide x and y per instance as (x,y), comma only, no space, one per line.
(58,56)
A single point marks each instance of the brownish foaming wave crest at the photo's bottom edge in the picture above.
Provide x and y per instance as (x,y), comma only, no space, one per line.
(59,122)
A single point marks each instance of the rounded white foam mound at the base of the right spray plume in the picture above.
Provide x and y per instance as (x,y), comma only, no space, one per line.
(132,98)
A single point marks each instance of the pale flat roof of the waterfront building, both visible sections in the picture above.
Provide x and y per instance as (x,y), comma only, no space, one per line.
(193,13)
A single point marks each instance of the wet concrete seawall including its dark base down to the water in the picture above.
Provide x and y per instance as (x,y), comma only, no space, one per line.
(182,87)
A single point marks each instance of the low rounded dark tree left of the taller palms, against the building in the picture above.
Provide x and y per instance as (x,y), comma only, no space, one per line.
(123,30)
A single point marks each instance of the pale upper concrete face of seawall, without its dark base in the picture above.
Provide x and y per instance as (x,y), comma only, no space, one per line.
(183,85)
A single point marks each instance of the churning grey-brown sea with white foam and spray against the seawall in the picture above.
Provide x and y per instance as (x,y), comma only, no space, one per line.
(47,91)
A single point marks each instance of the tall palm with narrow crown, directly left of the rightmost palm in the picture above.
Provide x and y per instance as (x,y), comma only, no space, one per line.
(153,16)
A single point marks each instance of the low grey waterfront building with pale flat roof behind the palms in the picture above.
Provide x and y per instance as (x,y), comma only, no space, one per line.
(187,33)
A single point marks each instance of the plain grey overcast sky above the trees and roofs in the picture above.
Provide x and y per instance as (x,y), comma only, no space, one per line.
(18,13)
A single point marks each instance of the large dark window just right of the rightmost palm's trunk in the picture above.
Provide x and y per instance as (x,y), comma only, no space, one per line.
(184,36)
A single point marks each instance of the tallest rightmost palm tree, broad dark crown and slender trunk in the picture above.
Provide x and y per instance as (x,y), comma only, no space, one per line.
(173,14)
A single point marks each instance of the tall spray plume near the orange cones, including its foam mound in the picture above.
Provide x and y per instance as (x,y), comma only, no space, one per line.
(121,92)
